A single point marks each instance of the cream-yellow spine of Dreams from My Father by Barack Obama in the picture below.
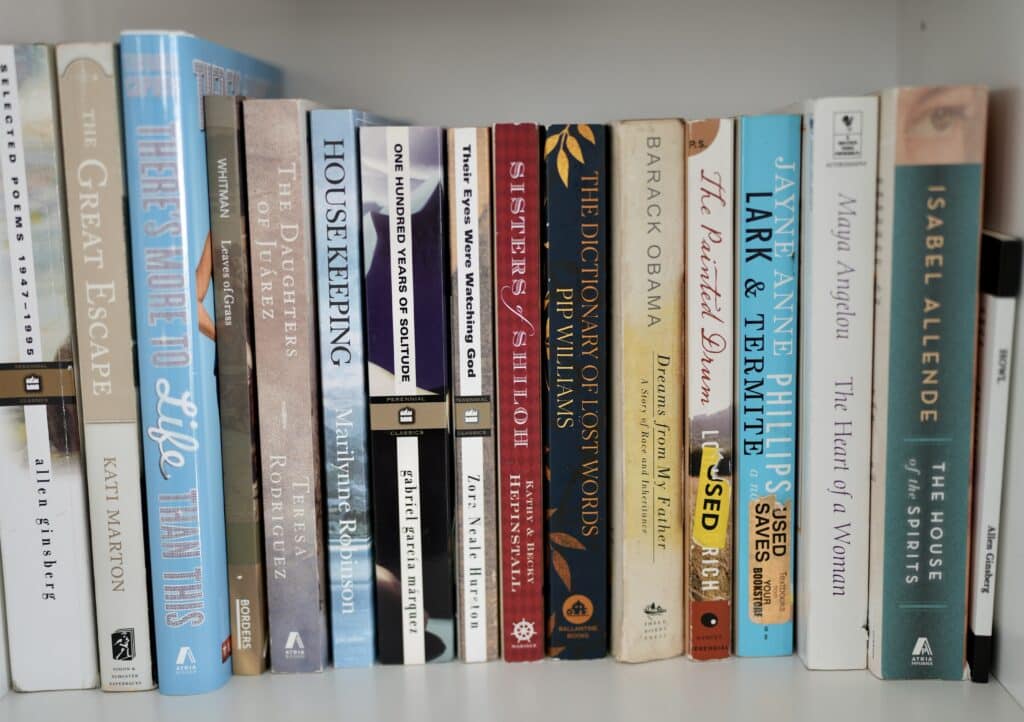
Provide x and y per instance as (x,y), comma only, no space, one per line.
(648,422)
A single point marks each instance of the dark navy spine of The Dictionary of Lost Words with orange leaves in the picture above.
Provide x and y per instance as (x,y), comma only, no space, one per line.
(576,300)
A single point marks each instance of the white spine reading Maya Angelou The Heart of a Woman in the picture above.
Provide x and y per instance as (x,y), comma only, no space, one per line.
(835,420)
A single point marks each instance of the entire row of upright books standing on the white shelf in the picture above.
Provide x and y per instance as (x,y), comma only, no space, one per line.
(403,394)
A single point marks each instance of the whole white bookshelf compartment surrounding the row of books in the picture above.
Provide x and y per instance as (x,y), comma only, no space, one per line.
(439,63)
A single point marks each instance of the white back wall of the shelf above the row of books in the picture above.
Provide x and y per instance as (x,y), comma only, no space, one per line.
(460,62)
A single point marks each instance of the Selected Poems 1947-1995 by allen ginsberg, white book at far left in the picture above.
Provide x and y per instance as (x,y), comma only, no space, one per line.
(45,525)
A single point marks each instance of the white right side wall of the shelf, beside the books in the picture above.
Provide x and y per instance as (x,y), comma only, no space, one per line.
(952,41)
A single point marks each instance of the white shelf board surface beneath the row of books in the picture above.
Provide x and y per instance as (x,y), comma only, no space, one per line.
(766,691)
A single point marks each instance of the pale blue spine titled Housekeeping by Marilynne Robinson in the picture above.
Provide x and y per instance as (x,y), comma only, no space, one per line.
(344,384)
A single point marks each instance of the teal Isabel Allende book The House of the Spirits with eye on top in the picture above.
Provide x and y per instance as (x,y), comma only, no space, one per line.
(931,154)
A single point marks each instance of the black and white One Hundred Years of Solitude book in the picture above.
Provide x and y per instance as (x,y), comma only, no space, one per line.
(405,251)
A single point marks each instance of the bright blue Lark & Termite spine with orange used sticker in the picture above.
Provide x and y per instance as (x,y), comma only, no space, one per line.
(767,263)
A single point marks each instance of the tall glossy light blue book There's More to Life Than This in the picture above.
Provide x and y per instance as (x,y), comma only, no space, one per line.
(164,78)
